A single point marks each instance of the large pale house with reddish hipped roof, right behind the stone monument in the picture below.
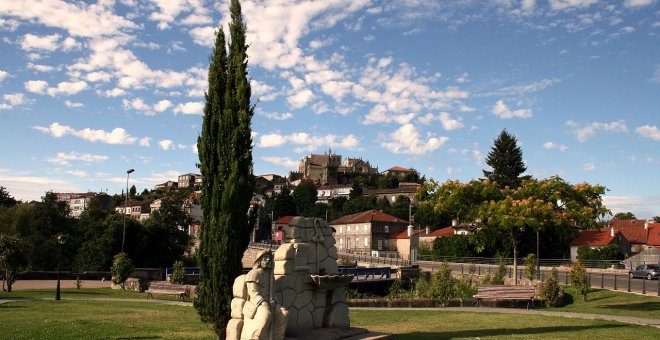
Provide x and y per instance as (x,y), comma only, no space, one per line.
(368,233)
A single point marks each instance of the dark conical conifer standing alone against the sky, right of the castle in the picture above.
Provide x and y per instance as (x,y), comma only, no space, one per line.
(505,158)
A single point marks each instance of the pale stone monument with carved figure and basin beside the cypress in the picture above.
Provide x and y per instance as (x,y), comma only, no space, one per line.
(304,295)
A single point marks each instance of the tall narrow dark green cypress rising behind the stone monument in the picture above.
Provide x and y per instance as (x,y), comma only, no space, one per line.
(225,153)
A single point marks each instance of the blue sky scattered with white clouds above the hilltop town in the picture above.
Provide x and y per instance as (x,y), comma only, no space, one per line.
(91,89)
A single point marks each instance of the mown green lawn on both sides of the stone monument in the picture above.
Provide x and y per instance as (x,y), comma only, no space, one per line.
(28,318)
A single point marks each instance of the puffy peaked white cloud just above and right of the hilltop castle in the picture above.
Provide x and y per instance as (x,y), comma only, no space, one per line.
(407,140)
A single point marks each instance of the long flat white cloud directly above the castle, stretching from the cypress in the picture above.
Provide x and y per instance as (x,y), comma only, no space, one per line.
(306,142)
